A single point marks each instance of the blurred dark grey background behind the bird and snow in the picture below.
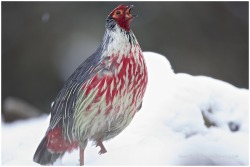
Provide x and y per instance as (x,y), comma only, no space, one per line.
(43,42)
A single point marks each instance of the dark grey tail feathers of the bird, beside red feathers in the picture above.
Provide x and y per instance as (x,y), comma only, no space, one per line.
(43,156)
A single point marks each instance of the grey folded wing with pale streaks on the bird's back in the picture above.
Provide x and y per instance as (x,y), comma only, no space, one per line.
(64,104)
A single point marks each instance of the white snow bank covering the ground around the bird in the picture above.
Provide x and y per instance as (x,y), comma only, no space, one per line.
(168,130)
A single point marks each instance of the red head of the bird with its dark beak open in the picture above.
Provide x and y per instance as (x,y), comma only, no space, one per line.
(122,16)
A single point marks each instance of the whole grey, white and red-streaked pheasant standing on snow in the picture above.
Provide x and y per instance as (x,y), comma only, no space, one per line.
(100,98)
